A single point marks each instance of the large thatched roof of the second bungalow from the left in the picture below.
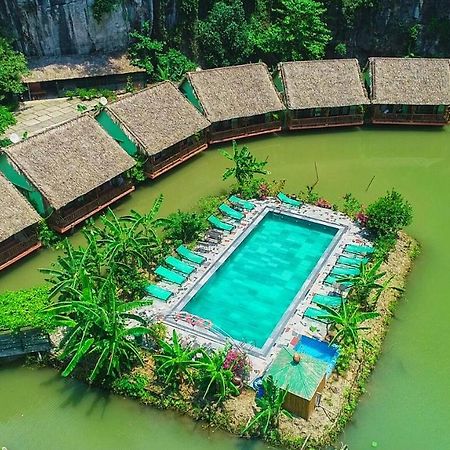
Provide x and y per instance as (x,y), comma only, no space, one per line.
(70,160)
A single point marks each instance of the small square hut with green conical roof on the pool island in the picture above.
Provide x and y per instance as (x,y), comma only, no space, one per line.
(303,381)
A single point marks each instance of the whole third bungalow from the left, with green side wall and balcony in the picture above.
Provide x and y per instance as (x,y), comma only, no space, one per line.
(158,123)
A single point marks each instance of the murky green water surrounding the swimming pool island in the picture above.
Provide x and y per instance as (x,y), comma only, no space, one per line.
(407,404)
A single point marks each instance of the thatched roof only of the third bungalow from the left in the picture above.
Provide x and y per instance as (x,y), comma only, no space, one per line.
(158,117)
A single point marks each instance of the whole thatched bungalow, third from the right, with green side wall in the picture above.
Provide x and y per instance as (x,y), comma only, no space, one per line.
(239,101)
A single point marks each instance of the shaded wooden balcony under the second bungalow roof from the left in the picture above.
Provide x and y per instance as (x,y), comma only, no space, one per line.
(68,217)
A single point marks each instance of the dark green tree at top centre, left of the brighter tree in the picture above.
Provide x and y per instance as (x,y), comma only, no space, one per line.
(223,35)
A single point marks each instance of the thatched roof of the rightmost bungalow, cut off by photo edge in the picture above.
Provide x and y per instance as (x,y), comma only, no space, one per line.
(410,81)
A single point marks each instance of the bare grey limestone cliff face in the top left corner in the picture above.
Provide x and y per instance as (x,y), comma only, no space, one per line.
(62,27)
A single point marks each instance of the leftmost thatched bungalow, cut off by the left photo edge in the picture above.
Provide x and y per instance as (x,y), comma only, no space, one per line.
(18,225)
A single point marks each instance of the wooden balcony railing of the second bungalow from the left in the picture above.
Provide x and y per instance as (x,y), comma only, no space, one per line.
(66,217)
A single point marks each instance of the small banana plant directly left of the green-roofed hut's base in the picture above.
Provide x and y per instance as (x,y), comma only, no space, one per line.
(270,409)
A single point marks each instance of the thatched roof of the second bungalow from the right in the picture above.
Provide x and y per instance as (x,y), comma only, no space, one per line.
(323,84)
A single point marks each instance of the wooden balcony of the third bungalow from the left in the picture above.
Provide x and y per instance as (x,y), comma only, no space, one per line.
(173,156)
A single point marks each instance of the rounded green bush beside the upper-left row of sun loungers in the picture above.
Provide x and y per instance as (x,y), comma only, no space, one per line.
(184,226)
